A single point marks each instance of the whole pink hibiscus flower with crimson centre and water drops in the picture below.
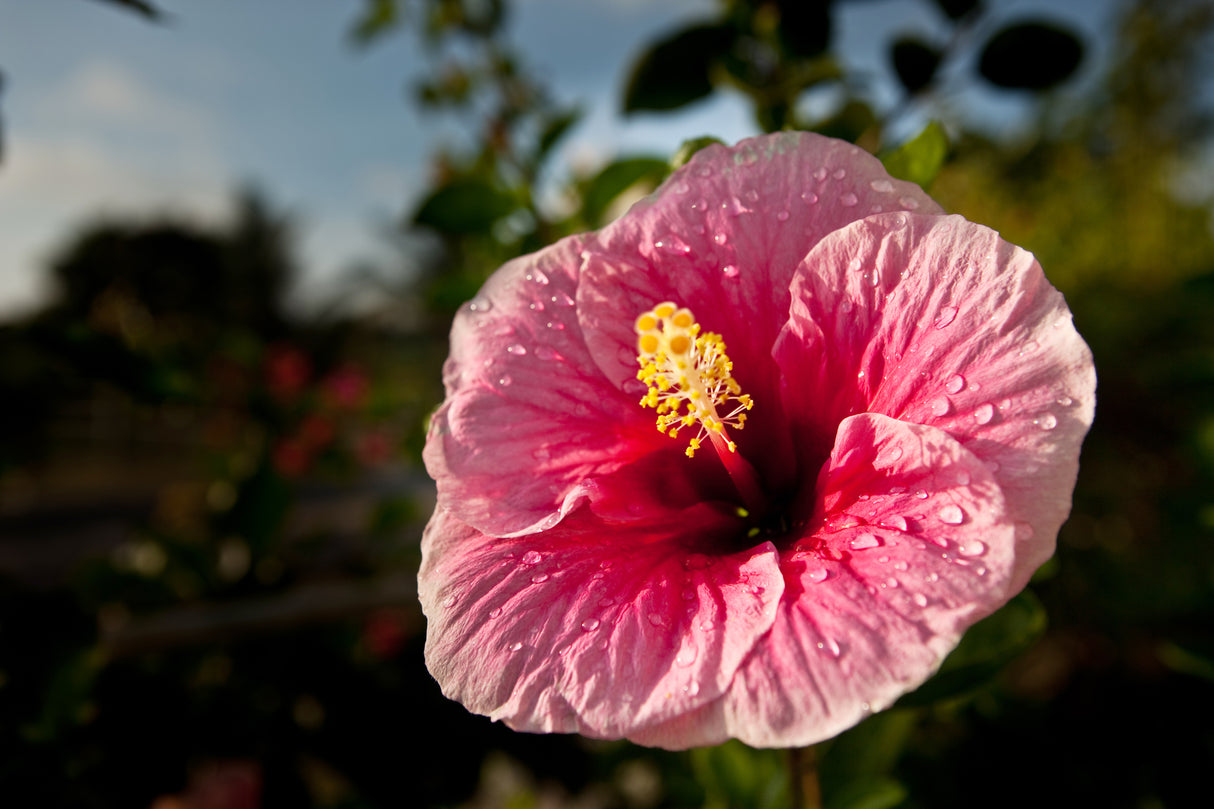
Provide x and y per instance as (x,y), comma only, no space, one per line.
(888,406)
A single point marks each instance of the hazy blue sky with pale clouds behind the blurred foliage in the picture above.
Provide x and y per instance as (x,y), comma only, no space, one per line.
(106,115)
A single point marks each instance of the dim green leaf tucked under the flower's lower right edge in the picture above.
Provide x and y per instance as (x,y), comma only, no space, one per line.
(985,650)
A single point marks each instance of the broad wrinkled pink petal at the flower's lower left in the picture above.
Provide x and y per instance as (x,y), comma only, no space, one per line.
(592,629)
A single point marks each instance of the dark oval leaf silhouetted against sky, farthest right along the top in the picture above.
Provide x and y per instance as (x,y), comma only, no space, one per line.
(1030,56)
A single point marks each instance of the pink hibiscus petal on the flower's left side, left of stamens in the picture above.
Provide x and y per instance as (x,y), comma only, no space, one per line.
(530,427)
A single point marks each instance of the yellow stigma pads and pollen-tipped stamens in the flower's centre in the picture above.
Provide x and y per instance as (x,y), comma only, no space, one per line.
(689,377)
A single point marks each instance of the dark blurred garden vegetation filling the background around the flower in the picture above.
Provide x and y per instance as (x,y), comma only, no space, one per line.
(211,507)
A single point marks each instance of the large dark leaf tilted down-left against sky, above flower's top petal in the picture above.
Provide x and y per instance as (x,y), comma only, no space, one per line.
(677,71)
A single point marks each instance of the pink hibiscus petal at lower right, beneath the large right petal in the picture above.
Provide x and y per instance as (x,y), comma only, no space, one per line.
(912,545)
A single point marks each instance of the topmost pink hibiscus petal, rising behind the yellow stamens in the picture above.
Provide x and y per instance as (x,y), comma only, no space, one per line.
(724,237)
